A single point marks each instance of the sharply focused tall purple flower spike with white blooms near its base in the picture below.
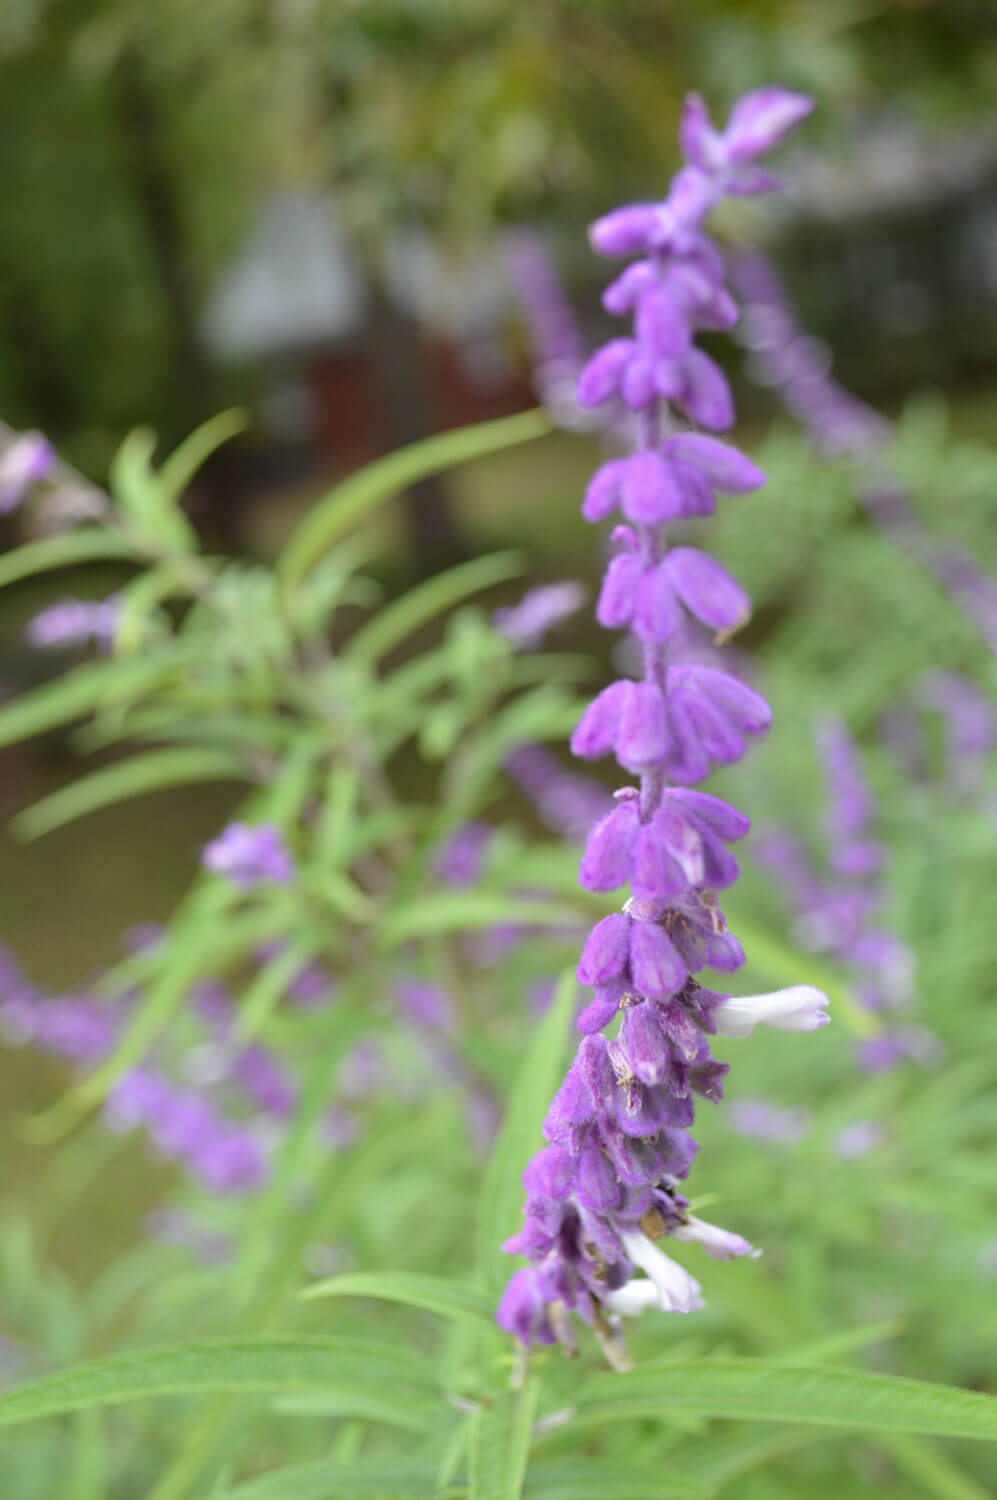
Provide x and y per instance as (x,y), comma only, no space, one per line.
(606,1187)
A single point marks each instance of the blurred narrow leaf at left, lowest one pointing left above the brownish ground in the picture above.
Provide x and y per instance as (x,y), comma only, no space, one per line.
(116,784)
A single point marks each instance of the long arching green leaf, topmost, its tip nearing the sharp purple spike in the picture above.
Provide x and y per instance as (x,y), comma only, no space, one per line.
(388,478)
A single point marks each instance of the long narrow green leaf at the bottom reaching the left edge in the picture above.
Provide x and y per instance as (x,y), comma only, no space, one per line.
(250,1364)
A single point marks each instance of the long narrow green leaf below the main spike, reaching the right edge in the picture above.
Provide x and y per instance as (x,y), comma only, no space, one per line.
(771,1393)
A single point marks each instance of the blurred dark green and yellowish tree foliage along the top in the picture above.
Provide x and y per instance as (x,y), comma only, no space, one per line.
(139,142)
